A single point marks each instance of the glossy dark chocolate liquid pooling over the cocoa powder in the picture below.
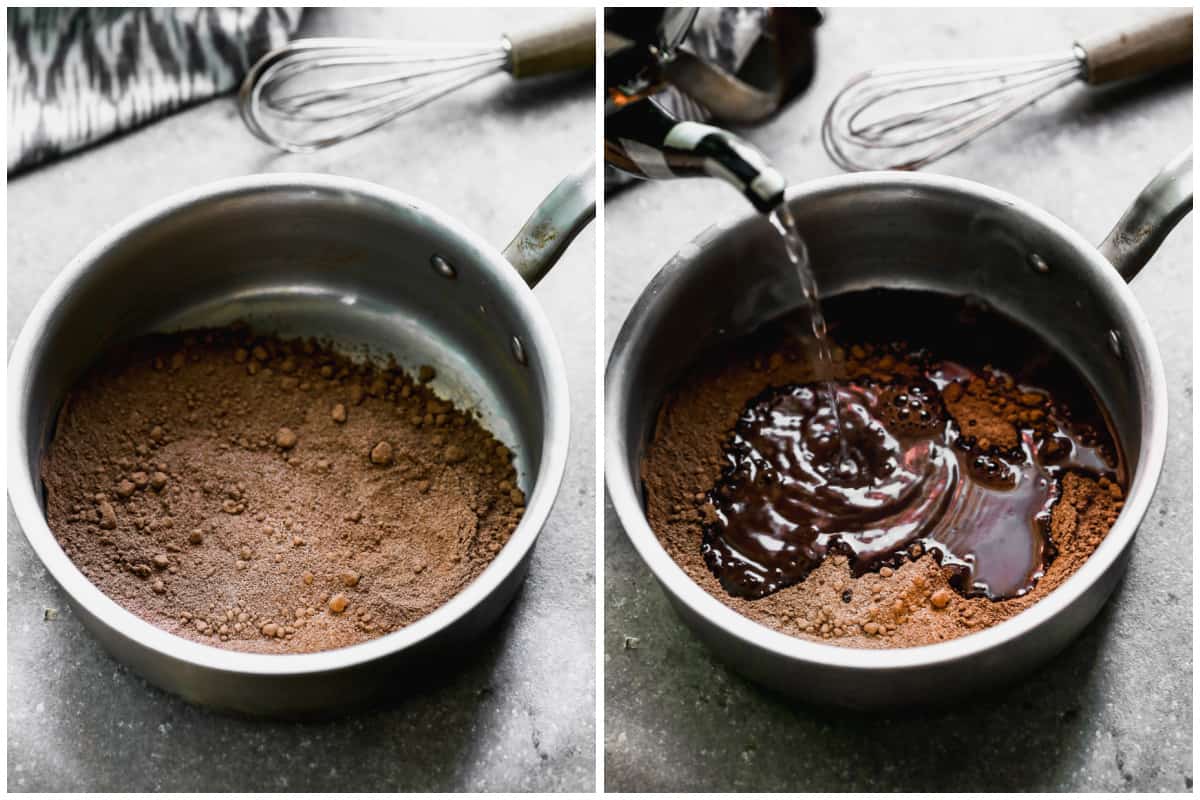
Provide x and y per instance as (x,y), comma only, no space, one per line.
(899,477)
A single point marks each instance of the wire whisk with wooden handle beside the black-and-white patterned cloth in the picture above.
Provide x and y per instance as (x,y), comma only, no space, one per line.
(315,93)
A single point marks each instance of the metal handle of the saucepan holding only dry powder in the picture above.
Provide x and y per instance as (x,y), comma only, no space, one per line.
(554,225)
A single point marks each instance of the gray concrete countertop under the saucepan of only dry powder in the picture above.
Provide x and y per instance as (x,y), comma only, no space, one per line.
(520,714)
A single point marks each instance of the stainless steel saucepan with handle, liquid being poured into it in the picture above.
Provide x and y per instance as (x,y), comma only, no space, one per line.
(919,232)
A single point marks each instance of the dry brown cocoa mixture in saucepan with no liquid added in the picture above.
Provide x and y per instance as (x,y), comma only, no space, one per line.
(273,496)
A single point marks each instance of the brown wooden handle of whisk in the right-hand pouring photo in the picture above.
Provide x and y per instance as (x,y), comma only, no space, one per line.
(1129,53)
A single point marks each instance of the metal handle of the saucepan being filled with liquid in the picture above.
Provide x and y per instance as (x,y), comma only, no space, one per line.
(1155,213)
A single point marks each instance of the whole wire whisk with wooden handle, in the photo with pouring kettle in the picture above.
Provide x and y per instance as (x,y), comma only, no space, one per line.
(908,116)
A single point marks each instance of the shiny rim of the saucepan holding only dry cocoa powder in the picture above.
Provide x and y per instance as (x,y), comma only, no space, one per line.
(25,478)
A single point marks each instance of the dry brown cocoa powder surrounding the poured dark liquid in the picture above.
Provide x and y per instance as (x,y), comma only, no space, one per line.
(893,607)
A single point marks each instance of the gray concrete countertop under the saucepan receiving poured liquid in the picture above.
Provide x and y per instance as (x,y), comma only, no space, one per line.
(1114,712)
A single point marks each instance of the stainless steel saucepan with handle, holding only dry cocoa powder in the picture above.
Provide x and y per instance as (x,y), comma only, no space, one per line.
(315,256)
